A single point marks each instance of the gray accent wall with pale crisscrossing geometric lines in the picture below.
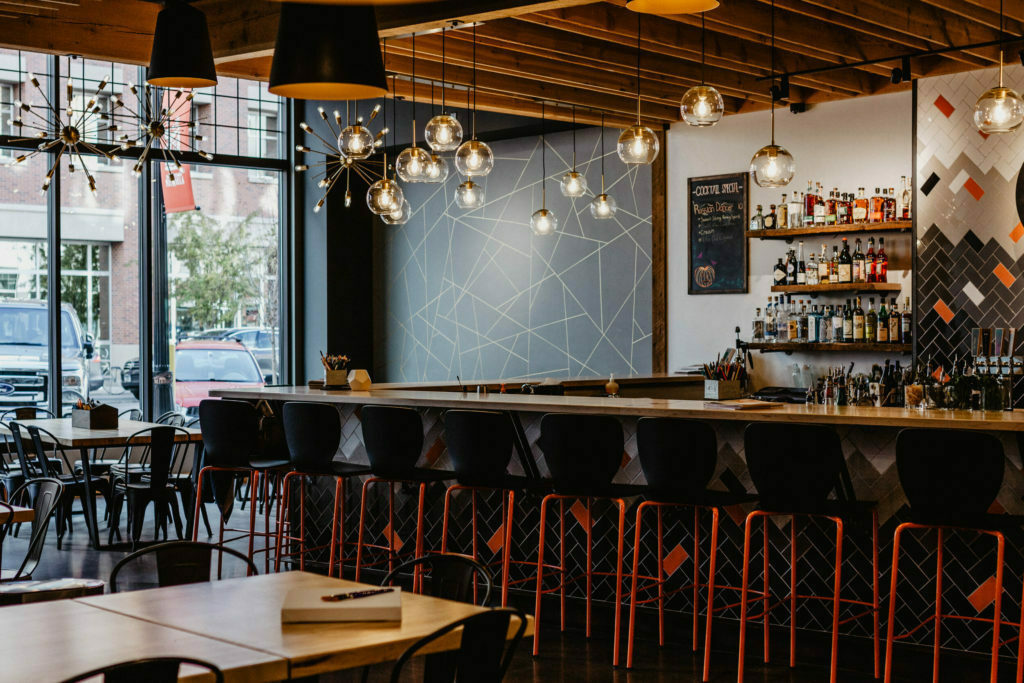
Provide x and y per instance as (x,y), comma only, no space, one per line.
(476,294)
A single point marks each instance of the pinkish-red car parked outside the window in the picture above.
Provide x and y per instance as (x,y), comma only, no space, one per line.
(202,366)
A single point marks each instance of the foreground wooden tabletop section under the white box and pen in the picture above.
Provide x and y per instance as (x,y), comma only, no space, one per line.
(246,613)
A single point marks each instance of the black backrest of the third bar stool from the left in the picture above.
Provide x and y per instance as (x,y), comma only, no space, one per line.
(394,439)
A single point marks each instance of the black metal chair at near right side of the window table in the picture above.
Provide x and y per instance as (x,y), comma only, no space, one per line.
(155,488)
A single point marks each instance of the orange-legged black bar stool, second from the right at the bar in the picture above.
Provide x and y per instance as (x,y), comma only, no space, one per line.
(795,468)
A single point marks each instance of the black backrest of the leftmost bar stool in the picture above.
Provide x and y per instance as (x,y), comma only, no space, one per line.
(230,432)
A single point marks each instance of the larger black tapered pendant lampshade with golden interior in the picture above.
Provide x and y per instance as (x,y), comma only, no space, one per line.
(327,53)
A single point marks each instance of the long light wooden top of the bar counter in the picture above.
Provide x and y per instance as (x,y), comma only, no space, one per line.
(864,416)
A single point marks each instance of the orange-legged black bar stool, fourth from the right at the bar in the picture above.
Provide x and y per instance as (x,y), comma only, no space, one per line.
(584,454)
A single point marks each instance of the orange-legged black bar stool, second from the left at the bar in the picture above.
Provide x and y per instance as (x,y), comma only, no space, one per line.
(314,433)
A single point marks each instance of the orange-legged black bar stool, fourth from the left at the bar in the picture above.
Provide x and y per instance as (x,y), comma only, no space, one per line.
(480,444)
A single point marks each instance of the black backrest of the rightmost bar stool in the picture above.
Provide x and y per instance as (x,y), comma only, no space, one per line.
(950,475)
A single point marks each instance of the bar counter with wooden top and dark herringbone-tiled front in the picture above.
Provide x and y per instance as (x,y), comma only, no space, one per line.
(868,437)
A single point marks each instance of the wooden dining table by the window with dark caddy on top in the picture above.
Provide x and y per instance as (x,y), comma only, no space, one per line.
(61,432)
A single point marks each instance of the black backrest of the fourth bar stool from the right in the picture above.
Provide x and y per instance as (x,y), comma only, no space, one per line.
(583,452)
